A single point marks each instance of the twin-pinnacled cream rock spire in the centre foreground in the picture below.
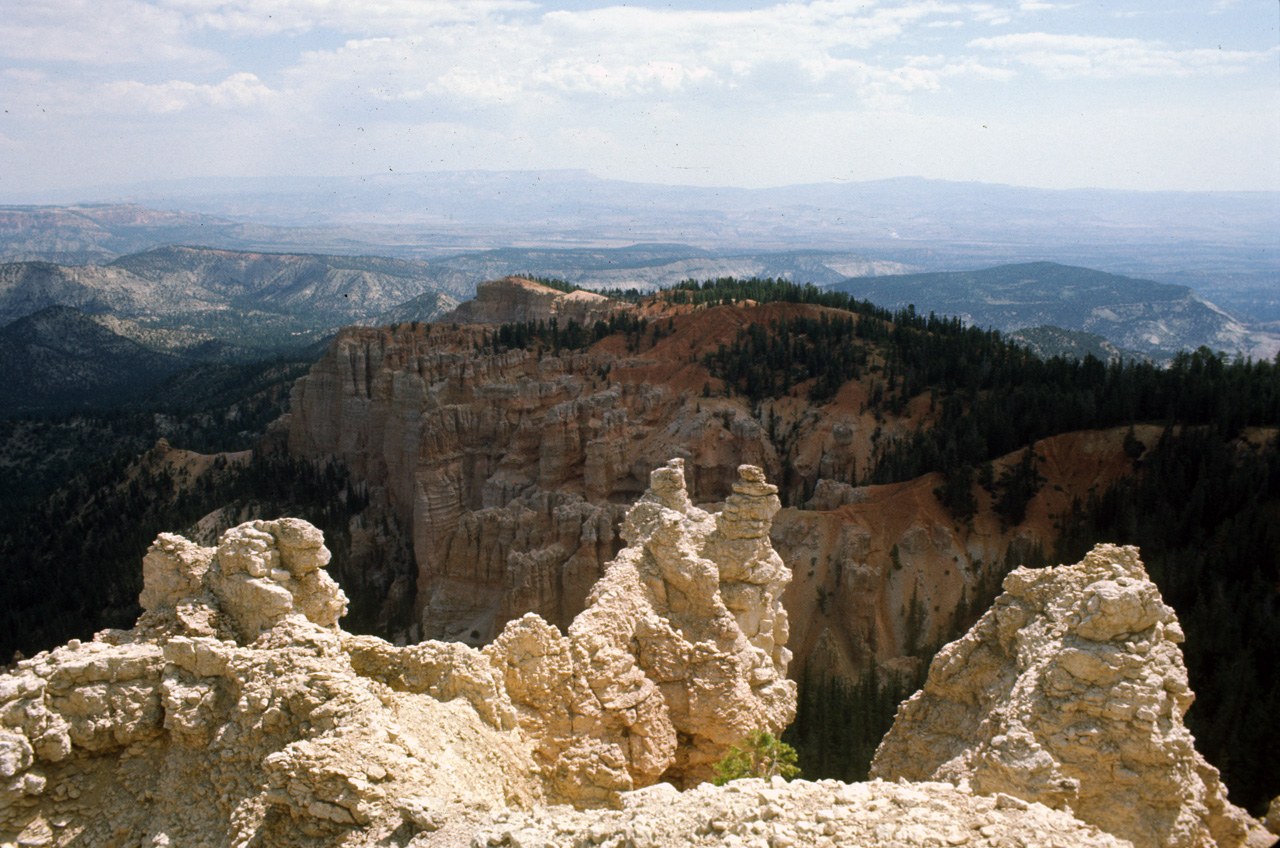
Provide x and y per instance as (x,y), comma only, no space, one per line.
(679,655)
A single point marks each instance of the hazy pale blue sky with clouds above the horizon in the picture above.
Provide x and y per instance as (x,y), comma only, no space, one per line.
(1133,94)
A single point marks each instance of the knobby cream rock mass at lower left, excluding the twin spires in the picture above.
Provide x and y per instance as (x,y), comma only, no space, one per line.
(239,714)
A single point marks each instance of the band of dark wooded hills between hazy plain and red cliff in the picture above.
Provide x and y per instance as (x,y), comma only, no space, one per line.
(102,334)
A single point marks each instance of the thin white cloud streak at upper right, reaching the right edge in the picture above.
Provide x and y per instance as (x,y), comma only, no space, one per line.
(1100,57)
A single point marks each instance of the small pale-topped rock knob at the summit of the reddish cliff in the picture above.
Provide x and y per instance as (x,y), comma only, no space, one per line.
(515,300)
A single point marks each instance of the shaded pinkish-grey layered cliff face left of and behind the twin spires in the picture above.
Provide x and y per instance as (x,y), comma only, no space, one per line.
(511,471)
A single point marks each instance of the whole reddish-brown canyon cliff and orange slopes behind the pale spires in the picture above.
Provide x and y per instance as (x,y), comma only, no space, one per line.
(511,471)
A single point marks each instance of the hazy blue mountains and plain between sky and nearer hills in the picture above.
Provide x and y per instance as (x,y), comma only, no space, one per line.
(1224,245)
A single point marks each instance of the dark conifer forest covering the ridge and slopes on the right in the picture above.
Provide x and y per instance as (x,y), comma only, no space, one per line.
(1204,504)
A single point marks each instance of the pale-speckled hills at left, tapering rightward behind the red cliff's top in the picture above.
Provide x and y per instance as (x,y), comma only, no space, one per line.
(272,300)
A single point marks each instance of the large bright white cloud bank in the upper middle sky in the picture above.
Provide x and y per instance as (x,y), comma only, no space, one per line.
(630,53)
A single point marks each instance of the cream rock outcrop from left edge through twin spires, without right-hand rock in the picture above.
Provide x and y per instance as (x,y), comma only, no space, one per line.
(237,713)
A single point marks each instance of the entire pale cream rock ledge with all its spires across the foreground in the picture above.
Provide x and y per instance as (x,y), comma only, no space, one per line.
(237,714)
